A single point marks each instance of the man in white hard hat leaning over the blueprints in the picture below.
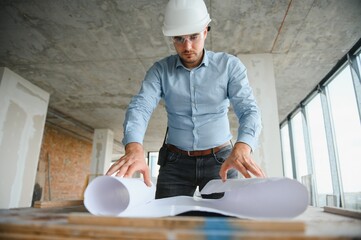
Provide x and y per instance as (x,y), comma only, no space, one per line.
(197,86)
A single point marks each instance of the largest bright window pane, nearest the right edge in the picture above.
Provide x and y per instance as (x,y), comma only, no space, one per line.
(347,129)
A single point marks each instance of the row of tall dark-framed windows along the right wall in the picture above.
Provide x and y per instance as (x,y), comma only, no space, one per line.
(321,139)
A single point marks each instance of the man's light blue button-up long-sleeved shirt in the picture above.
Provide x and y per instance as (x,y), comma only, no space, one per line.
(197,102)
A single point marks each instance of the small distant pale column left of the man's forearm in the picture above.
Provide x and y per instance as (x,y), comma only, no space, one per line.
(102,151)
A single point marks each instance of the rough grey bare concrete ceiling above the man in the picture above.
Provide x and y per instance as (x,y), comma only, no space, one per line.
(91,55)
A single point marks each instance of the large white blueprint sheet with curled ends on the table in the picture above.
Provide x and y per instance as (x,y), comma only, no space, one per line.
(254,198)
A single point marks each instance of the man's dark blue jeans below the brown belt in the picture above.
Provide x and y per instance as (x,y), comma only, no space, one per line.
(181,174)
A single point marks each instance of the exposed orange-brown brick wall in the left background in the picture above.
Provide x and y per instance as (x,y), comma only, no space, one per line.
(69,158)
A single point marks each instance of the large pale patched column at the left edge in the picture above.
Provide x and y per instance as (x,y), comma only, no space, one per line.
(23,108)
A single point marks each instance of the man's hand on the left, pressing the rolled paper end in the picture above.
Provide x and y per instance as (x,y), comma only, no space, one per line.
(131,162)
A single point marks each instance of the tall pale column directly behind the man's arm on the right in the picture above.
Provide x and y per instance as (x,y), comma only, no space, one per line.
(262,80)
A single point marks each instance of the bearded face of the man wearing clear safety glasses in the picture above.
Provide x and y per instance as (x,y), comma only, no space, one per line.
(190,48)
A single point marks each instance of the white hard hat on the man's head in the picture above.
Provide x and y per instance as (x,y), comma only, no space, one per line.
(184,17)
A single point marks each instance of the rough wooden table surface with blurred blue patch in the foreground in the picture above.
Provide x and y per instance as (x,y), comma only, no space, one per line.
(76,223)
